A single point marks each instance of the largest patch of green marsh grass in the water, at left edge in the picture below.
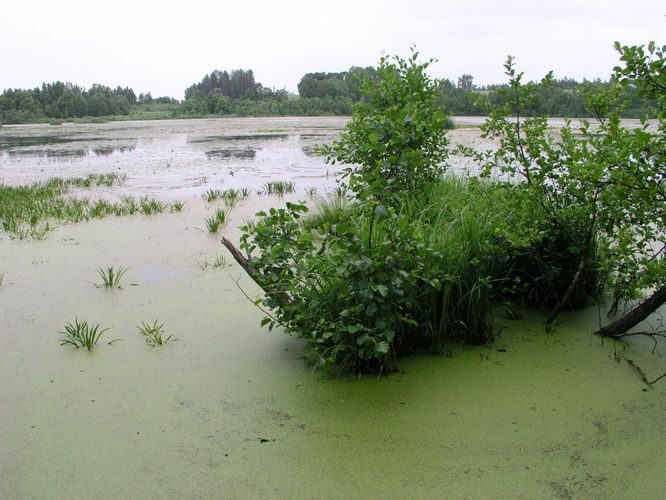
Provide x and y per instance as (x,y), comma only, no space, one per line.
(30,211)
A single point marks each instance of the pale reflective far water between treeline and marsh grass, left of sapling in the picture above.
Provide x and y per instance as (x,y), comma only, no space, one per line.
(174,157)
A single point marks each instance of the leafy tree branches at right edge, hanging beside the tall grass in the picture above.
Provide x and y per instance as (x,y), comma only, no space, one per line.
(600,187)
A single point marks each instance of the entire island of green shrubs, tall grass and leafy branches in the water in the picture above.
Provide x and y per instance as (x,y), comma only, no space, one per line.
(415,259)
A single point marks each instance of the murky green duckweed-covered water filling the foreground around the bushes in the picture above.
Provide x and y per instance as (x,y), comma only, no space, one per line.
(230,410)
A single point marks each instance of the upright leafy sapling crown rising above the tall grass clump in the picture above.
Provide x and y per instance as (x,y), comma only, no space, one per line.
(397,134)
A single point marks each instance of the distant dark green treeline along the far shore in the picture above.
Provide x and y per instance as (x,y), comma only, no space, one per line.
(237,93)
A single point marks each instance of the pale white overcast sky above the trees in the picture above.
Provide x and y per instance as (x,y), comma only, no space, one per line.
(165,46)
